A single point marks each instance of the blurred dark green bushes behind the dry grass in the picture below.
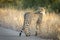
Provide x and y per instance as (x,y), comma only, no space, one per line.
(23,4)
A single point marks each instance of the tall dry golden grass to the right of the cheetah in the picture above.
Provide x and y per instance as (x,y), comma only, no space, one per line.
(50,25)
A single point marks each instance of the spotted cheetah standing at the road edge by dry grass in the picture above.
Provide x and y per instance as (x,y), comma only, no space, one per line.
(31,20)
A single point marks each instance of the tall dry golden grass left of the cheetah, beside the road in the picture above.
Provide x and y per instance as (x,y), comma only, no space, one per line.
(12,18)
